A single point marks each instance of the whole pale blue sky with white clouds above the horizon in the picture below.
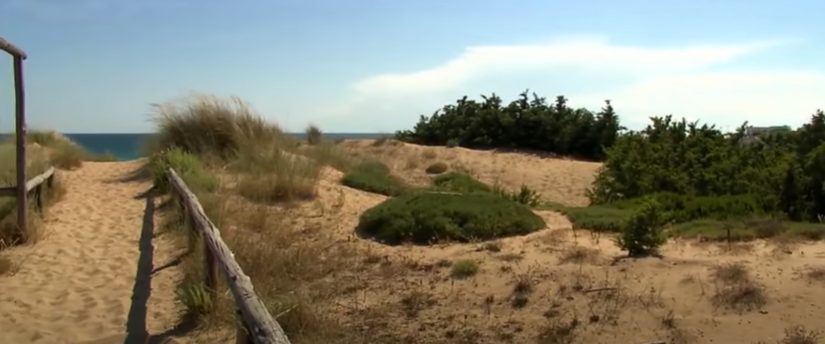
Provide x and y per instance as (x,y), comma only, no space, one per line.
(374,66)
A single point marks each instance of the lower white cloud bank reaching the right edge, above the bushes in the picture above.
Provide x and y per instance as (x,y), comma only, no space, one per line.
(723,98)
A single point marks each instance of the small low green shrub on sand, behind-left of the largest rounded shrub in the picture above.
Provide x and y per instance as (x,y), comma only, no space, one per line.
(373,176)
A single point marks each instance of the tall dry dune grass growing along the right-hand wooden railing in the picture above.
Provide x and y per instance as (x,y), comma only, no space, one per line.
(265,167)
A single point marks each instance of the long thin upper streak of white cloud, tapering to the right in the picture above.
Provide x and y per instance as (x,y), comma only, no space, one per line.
(587,54)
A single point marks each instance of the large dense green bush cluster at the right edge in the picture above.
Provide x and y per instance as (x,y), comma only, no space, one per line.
(699,171)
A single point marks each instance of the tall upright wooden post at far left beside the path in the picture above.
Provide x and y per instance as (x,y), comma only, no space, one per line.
(20,114)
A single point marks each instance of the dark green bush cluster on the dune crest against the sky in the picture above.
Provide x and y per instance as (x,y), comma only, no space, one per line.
(526,123)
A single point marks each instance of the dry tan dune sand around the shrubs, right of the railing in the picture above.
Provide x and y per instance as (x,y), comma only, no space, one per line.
(406,292)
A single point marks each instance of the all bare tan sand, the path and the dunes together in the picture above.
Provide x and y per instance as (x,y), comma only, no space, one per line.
(406,292)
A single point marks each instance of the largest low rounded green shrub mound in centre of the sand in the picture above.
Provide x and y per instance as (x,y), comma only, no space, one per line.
(426,217)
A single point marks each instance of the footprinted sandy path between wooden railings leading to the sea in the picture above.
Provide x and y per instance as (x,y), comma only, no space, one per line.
(78,284)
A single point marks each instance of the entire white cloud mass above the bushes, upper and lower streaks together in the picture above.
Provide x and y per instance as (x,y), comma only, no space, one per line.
(695,81)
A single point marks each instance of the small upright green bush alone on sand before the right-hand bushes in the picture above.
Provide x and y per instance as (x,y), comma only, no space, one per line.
(642,234)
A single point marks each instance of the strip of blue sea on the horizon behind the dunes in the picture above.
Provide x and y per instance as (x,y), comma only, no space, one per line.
(130,146)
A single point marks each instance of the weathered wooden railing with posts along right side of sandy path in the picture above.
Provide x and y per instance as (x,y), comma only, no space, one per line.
(256,325)
